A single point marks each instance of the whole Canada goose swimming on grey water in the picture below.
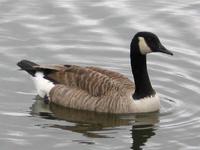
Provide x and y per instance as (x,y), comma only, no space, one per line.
(101,90)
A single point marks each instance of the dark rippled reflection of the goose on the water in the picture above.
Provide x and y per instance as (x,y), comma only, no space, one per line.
(87,123)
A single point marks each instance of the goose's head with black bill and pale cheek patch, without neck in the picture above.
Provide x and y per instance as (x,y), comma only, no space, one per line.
(148,42)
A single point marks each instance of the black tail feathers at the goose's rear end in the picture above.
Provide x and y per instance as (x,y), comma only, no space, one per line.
(28,66)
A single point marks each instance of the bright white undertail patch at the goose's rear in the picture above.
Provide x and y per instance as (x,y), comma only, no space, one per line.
(43,86)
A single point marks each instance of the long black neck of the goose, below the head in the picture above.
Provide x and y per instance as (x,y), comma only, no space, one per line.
(143,86)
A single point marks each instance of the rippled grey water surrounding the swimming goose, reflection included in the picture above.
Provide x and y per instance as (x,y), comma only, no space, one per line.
(99,33)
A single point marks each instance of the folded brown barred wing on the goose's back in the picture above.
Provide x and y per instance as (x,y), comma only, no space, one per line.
(95,81)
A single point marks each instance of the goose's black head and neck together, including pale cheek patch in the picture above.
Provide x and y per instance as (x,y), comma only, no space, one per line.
(142,44)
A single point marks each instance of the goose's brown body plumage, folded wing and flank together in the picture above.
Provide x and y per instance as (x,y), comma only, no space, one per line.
(89,88)
